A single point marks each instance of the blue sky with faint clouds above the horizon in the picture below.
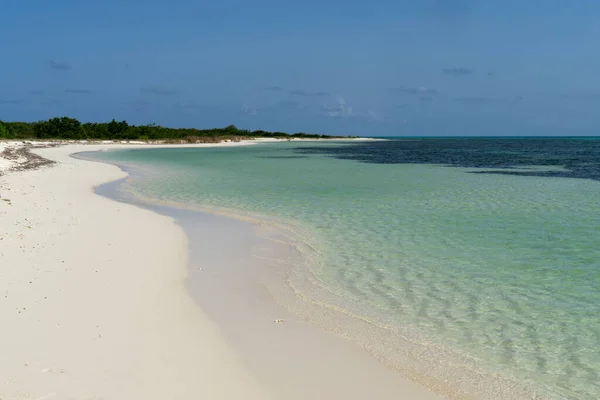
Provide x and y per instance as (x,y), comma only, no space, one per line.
(372,68)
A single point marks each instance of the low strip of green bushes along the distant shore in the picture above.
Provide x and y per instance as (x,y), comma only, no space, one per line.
(66,128)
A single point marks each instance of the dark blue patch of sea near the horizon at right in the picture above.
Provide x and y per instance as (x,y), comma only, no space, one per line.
(579,157)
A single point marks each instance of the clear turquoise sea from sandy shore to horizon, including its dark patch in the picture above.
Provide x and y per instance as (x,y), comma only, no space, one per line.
(496,257)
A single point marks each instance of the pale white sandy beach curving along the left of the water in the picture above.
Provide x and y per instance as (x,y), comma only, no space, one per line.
(93,303)
